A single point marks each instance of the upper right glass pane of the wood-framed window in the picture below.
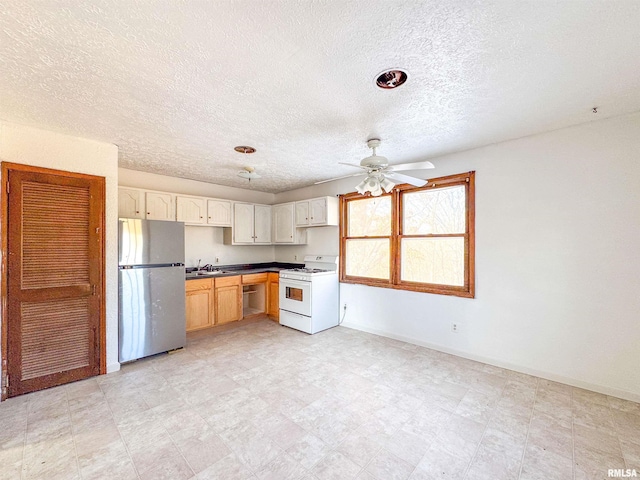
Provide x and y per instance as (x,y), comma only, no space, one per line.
(441,210)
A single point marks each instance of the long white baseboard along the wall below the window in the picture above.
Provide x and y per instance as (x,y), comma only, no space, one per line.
(614,392)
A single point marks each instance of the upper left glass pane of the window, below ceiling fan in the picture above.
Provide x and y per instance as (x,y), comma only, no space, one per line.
(370,217)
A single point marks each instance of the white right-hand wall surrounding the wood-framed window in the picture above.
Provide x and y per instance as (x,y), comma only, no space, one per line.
(557,260)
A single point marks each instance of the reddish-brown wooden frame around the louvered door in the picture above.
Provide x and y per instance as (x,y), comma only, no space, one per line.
(7,167)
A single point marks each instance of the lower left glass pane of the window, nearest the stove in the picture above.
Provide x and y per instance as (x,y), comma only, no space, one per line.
(368,258)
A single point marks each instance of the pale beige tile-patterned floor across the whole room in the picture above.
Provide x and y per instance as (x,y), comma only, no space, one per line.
(261,401)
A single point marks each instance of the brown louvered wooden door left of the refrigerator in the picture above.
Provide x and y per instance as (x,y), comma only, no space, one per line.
(55,286)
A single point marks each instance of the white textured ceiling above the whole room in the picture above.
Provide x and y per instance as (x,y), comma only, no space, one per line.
(176,85)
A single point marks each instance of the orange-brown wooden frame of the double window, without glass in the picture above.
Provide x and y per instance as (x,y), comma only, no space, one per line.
(467,290)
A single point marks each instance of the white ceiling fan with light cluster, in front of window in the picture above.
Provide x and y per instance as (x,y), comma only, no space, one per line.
(380,175)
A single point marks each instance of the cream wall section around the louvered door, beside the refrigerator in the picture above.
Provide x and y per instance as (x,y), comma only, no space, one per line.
(31,146)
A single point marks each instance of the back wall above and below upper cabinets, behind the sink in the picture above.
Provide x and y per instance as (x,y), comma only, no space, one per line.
(205,243)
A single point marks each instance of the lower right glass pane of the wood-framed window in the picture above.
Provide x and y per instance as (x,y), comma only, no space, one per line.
(433,260)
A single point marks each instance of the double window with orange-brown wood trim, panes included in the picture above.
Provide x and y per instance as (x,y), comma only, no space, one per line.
(413,238)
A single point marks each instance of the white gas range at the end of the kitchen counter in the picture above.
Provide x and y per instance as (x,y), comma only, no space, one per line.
(309,296)
